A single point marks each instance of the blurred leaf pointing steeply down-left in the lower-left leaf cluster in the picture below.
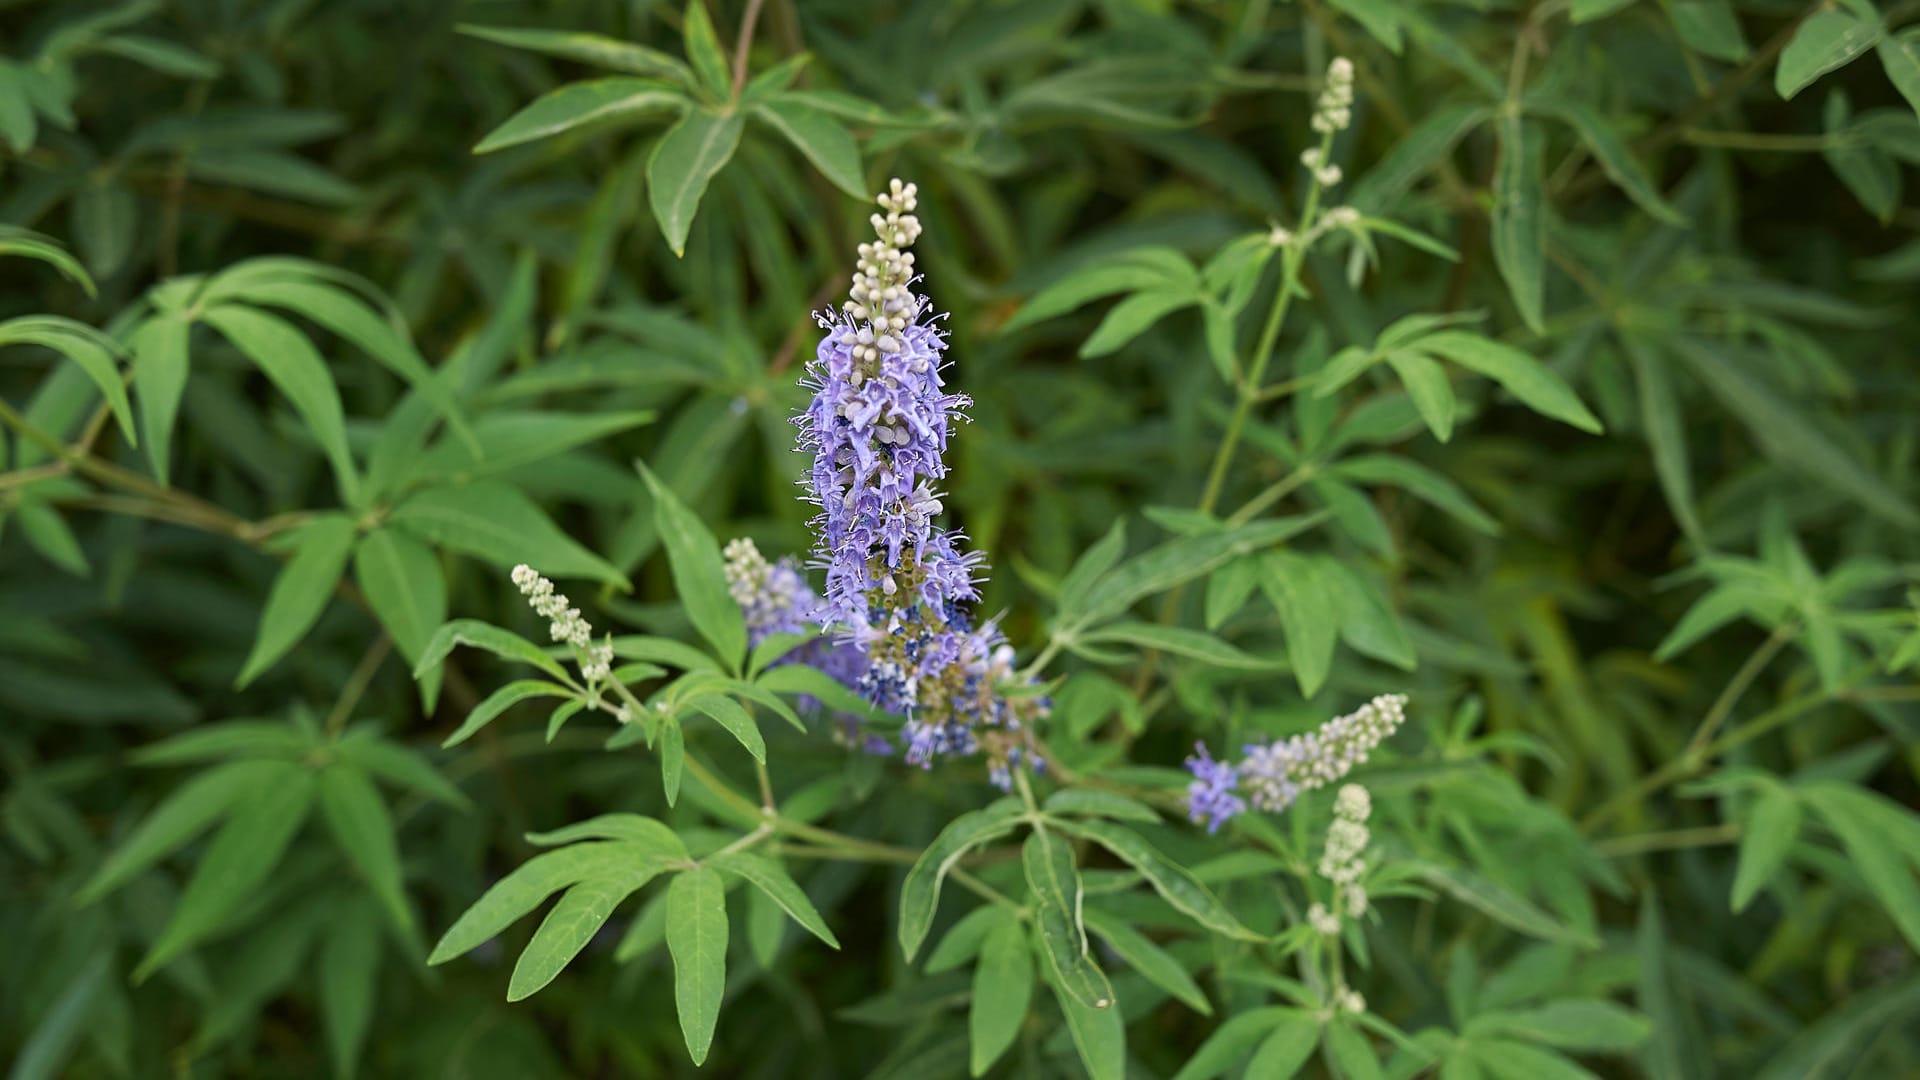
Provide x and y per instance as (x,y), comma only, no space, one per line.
(235,866)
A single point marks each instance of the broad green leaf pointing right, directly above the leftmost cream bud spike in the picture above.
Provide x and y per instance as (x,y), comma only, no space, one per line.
(498,524)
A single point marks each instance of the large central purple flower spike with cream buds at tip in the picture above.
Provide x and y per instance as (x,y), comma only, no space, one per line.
(898,585)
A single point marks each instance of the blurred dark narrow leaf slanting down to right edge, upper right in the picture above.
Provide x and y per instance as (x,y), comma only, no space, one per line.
(1787,435)
